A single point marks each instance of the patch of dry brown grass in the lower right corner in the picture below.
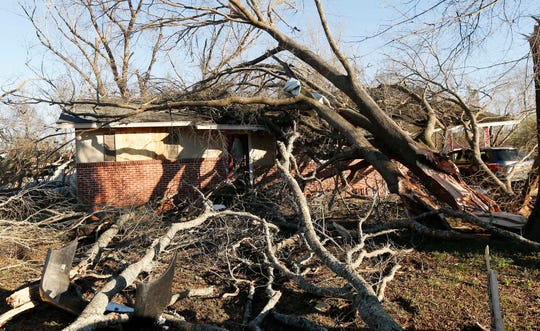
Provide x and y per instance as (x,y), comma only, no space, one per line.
(443,286)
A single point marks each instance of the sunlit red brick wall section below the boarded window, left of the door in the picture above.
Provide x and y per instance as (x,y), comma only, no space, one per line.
(132,183)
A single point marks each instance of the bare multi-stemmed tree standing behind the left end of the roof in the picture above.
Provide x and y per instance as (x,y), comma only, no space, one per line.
(102,35)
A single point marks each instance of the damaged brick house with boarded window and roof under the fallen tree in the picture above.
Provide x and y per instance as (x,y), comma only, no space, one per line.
(124,158)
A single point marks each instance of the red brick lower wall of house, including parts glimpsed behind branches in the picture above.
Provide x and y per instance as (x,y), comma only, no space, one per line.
(132,183)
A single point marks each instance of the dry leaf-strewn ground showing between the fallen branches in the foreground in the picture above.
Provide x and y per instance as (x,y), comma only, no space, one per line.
(441,286)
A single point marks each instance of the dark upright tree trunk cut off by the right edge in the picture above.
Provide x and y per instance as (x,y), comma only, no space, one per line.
(532,228)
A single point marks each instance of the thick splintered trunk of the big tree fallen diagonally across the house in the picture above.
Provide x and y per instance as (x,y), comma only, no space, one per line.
(436,174)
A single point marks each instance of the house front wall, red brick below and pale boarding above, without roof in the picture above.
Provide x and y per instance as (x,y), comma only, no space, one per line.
(149,163)
